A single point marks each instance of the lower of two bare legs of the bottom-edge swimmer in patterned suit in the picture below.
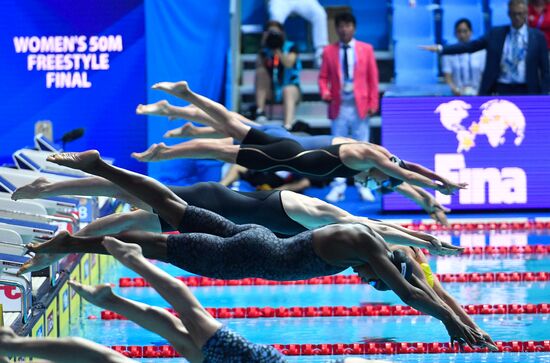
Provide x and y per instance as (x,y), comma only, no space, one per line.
(152,318)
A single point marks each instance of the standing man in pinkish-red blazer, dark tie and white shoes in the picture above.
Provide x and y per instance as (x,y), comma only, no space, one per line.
(348,82)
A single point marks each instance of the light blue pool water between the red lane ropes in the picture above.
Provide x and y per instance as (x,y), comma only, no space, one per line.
(354,329)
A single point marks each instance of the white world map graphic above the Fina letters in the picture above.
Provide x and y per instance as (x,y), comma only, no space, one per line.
(497,117)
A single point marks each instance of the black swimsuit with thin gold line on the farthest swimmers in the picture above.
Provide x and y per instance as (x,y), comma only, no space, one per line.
(260,151)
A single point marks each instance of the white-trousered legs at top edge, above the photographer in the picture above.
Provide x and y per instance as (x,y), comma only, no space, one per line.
(312,11)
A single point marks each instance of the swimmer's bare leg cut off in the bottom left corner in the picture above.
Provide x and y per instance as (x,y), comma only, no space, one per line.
(59,350)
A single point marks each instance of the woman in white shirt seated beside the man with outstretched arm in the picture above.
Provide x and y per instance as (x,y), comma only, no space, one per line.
(463,71)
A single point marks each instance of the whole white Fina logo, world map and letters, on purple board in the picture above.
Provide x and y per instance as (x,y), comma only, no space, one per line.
(504,186)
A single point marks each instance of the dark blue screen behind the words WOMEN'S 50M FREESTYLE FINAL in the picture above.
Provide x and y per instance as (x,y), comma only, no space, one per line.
(106,109)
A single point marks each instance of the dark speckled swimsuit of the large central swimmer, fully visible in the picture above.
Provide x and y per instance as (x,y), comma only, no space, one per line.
(213,246)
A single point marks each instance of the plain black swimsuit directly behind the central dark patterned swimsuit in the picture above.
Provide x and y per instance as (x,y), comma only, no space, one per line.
(263,207)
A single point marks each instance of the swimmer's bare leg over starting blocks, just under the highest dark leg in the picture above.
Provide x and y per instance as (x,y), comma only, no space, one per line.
(92,186)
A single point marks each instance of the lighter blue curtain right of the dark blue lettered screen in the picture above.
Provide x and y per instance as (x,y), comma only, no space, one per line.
(184,43)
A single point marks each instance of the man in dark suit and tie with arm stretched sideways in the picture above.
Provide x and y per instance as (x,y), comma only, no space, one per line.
(517,56)
